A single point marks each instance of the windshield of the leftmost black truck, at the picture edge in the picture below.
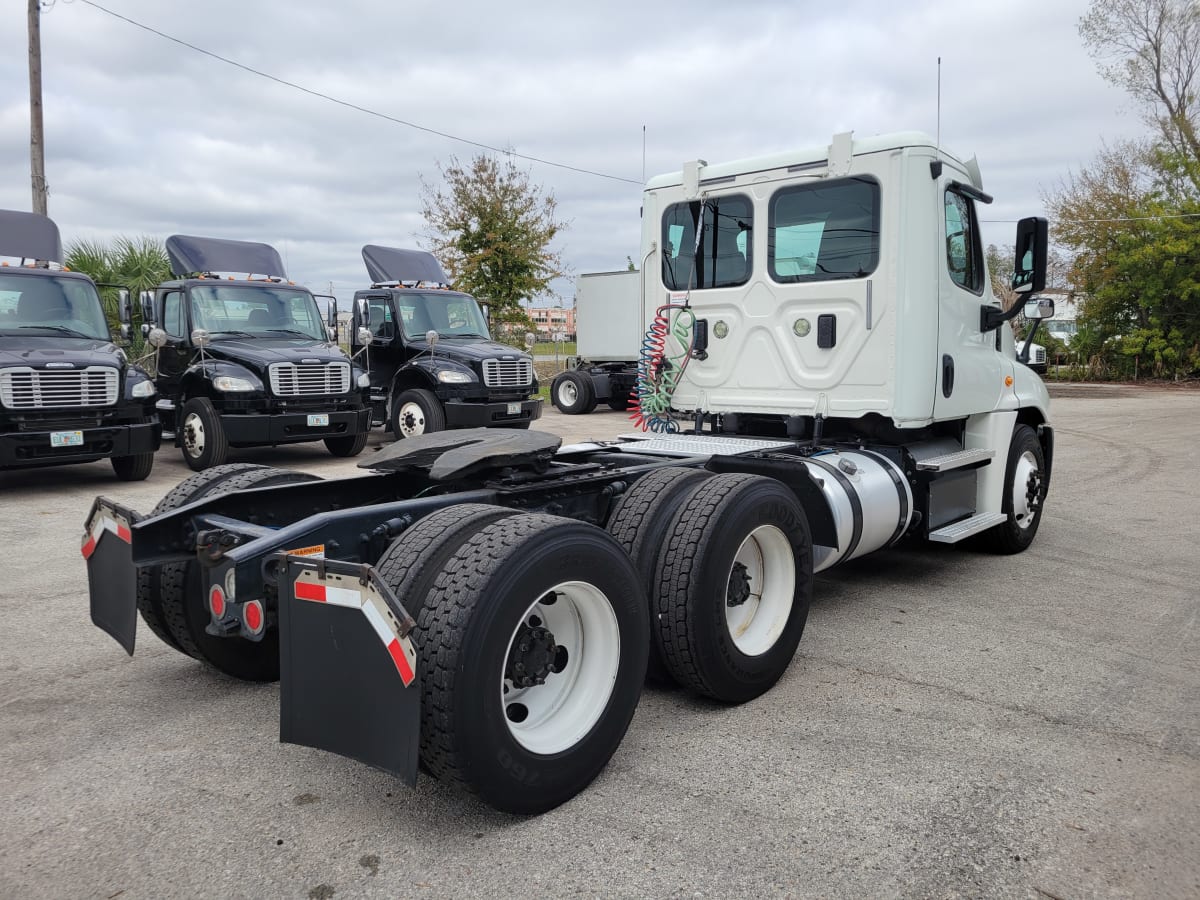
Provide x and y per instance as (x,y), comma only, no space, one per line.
(47,305)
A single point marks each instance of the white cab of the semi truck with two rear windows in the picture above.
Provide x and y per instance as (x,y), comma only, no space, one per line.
(842,293)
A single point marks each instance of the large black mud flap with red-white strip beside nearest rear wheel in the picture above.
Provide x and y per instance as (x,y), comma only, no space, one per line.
(349,681)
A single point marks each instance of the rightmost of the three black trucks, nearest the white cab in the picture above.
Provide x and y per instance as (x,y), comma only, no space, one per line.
(430,357)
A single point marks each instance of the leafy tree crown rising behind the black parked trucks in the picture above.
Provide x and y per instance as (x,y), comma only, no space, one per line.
(493,229)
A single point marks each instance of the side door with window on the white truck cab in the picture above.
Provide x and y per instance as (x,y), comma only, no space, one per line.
(970,373)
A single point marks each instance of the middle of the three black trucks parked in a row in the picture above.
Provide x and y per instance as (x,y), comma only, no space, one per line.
(248,362)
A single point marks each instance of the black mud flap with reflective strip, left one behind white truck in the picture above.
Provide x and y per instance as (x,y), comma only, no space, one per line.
(112,577)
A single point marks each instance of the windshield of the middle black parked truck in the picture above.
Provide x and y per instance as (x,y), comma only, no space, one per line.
(257,311)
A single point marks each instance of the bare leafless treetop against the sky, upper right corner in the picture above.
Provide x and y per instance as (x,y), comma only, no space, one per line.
(1151,49)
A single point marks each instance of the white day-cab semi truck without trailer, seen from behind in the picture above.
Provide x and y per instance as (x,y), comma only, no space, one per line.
(827,375)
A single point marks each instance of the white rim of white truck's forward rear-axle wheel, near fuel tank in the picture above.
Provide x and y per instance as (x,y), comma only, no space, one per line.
(757,623)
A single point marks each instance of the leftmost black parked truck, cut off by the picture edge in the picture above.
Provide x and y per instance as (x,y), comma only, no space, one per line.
(68,393)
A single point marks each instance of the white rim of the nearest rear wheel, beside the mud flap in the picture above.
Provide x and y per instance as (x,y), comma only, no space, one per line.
(559,715)
